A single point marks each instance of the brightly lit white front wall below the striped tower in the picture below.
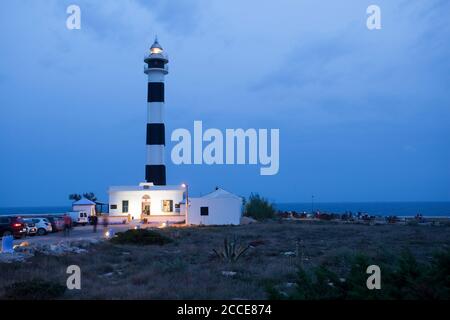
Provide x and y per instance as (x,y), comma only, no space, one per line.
(135,201)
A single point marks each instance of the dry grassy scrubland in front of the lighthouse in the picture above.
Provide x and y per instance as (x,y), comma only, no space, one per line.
(187,268)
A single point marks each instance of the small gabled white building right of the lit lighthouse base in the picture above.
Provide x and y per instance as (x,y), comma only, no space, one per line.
(219,207)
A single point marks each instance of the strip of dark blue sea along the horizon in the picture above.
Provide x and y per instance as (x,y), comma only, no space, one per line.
(371,208)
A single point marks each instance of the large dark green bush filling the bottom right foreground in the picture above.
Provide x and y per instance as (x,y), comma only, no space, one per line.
(404,279)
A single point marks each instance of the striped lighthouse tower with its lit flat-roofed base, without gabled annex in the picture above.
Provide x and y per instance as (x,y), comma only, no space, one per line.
(152,201)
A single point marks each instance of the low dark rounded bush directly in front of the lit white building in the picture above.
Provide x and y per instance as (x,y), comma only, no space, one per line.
(141,237)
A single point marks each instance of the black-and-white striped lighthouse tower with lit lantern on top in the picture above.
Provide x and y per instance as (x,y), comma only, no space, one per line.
(156,69)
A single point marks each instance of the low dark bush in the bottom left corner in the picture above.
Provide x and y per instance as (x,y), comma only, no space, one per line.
(34,290)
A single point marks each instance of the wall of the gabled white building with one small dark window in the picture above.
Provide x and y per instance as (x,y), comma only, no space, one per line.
(221,211)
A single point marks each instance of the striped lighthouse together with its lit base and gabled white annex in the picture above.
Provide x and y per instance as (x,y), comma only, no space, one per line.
(153,201)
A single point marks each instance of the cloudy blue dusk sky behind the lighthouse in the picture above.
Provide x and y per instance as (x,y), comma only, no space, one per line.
(363,115)
